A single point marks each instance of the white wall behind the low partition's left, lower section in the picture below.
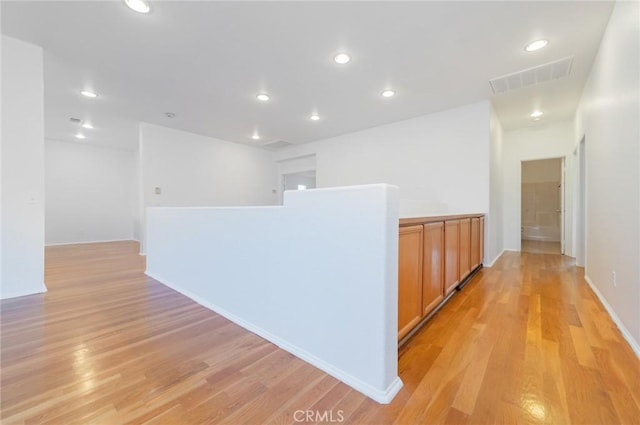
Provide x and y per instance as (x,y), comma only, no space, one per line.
(194,170)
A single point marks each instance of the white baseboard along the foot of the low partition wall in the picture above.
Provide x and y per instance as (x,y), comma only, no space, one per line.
(382,397)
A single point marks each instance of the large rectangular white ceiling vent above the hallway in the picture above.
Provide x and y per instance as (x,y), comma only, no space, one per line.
(529,77)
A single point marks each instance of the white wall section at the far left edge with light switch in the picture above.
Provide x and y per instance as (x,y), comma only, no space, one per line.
(22,169)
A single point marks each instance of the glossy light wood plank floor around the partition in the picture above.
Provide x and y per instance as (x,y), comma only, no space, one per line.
(525,342)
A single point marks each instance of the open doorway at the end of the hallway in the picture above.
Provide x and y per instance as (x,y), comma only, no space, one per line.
(542,206)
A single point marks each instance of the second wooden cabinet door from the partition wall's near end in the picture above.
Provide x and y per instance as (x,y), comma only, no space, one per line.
(432,267)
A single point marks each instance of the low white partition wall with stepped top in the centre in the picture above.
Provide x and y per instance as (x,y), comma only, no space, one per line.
(316,276)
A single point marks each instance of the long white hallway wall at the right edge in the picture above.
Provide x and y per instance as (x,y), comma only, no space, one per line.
(608,119)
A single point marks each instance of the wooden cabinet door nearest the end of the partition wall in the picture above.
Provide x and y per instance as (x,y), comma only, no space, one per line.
(409,278)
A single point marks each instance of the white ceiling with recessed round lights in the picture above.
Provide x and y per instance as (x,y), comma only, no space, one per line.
(206,61)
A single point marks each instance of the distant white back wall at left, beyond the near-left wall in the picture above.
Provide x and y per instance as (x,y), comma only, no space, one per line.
(90,193)
